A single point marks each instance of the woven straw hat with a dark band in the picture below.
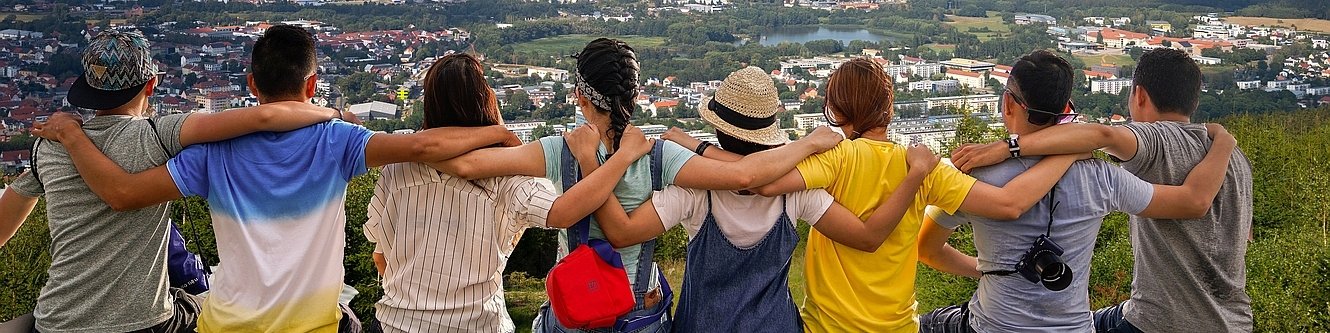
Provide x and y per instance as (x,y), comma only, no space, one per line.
(745,109)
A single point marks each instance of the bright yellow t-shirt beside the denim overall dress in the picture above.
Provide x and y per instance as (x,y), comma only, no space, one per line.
(855,291)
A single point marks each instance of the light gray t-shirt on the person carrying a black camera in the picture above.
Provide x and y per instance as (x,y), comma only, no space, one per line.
(1009,303)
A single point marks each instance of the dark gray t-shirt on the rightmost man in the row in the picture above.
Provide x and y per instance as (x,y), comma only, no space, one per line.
(1190,275)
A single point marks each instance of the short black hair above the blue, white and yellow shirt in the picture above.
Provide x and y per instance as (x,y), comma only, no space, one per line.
(283,59)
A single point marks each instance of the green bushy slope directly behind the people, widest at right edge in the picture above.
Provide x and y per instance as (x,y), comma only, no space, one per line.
(1288,262)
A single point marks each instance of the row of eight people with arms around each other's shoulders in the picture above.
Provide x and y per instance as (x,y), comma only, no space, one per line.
(454,199)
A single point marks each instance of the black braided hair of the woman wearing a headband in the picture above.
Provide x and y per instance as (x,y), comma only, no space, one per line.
(610,67)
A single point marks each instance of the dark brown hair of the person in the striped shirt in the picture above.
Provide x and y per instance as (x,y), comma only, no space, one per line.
(458,95)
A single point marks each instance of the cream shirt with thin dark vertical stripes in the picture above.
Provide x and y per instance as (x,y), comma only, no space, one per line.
(446,242)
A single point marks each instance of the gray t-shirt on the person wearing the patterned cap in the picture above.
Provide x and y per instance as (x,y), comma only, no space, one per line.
(108,270)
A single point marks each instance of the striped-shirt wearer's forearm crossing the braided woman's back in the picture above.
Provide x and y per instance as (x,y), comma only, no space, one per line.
(590,194)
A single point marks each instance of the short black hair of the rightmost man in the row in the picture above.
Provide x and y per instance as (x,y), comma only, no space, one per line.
(1171,78)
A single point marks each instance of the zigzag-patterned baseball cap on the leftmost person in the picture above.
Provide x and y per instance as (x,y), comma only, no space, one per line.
(116,69)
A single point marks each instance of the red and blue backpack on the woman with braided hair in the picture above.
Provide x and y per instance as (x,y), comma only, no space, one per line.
(589,288)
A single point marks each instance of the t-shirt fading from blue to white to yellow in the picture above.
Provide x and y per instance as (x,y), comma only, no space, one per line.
(277,204)
